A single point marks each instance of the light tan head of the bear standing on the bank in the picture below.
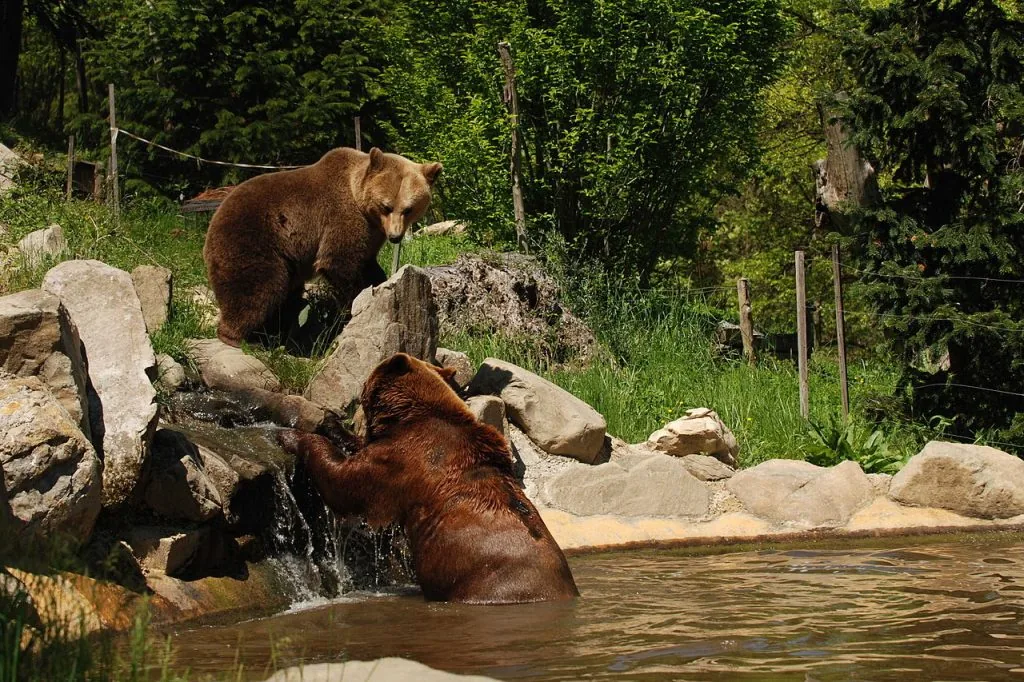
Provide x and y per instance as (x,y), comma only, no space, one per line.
(397,192)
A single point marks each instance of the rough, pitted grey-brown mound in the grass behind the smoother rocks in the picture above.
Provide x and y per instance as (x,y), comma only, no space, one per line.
(508,294)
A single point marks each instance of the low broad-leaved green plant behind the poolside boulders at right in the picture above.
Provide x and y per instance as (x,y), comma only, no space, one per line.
(838,442)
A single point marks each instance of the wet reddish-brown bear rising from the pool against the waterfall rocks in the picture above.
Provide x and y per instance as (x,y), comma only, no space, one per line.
(430,465)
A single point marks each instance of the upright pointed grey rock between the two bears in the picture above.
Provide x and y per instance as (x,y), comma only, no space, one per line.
(396,317)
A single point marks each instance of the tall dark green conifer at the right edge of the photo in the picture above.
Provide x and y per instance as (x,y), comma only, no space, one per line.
(938,104)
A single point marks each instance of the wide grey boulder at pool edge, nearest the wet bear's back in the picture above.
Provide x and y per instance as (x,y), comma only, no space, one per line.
(656,486)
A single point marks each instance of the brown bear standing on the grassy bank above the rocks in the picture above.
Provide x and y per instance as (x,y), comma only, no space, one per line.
(275,232)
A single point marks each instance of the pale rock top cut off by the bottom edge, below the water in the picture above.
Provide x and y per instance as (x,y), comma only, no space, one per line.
(392,670)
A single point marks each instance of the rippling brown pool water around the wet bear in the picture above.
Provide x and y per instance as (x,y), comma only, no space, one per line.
(916,612)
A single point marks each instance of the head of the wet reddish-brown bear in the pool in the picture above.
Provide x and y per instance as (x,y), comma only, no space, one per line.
(403,389)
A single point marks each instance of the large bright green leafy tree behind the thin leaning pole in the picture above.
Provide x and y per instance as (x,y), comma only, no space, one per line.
(636,116)
